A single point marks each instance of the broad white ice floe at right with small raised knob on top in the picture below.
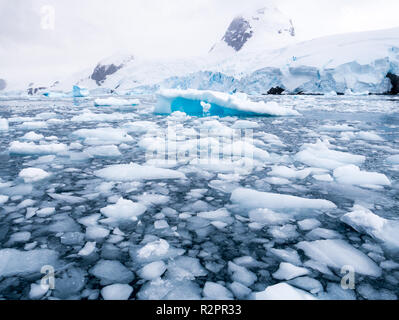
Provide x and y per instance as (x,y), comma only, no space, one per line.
(320,156)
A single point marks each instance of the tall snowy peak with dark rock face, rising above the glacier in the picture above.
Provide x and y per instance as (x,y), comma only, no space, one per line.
(266,28)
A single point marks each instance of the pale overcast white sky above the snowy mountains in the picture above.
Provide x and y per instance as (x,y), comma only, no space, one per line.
(42,40)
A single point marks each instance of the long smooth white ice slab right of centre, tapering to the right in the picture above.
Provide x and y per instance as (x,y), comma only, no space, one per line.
(251,199)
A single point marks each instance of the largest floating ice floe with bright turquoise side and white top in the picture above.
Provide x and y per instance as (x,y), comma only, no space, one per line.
(192,102)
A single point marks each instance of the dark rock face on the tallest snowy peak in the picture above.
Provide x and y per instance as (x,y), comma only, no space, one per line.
(238,33)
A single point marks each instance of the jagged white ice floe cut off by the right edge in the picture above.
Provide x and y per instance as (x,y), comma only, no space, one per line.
(365,221)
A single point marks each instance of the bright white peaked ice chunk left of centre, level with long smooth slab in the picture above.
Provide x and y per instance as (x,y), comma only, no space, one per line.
(124,210)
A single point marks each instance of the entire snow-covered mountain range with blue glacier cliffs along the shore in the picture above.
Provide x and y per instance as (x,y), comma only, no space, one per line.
(259,55)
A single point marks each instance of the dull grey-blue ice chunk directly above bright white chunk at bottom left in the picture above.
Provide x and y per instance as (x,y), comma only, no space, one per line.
(112,271)
